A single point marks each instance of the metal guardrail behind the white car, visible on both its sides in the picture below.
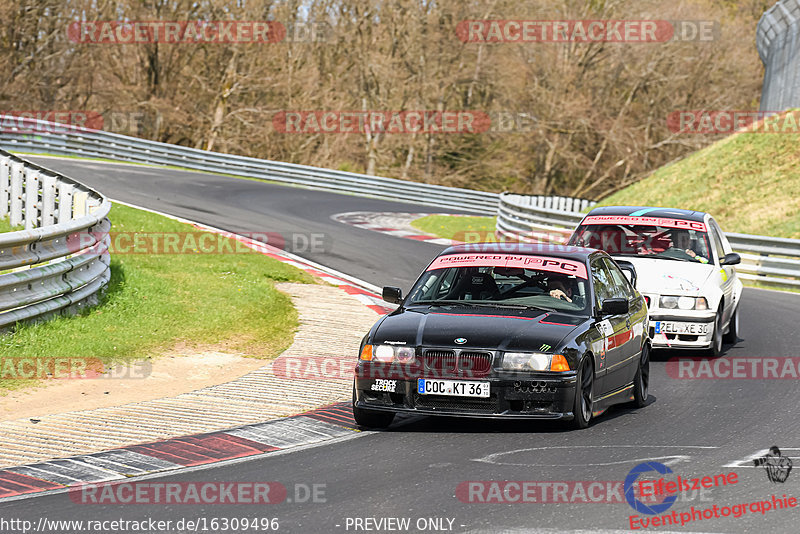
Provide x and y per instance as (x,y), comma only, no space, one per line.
(769,260)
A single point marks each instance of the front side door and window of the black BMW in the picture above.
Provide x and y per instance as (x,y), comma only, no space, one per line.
(609,326)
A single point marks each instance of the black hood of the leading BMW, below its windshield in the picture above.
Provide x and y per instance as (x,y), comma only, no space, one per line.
(512,330)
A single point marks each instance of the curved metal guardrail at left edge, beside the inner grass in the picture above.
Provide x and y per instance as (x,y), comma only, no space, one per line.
(57,263)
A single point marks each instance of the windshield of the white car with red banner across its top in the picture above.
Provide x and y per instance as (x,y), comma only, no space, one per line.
(663,242)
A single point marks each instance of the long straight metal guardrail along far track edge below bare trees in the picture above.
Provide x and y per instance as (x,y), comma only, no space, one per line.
(39,136)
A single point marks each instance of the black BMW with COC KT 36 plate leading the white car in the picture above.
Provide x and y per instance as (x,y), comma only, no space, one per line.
(504,330)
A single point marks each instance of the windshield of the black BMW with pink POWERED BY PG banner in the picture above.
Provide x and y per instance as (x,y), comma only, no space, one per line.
(504,287)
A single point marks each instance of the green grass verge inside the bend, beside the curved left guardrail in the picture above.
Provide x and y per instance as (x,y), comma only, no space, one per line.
(155,301)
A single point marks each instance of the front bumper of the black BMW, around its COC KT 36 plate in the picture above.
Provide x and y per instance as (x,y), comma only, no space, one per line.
(512,395)
